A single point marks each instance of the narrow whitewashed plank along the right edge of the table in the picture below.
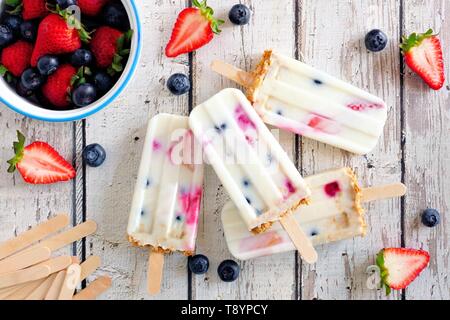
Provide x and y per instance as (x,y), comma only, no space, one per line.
(427,155)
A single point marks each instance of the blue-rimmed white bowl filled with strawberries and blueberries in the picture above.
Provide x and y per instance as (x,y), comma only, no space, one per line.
(64,60)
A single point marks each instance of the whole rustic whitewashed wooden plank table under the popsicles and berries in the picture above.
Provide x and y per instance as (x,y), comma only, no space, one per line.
(327,34)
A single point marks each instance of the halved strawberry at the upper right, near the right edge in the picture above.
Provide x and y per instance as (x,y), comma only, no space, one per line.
(423,54)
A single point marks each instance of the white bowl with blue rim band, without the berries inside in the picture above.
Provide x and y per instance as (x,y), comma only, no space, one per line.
(10,98)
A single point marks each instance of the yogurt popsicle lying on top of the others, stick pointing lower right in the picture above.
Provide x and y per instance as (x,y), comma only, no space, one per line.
(261,180)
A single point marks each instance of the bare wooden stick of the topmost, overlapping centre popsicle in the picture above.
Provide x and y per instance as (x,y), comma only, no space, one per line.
(299,238)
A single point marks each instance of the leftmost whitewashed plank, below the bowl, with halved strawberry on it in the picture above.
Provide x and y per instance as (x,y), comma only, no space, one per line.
(23,206)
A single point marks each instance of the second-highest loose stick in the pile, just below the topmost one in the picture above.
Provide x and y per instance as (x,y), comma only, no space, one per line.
(67,237)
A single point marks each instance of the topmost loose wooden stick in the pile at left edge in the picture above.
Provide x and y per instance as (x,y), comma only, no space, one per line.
(29,237)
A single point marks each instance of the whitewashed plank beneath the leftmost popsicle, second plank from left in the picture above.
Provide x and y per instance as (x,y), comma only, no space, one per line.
(121,129)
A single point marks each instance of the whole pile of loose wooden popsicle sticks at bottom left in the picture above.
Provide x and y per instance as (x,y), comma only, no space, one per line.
(29,272)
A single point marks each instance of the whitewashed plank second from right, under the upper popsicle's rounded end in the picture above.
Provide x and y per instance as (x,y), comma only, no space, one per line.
(332,39)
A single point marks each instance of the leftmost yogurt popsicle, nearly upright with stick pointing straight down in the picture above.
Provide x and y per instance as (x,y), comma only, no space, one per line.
(166,202)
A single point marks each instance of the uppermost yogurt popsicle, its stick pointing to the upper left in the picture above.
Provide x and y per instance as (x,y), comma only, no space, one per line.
(294,96)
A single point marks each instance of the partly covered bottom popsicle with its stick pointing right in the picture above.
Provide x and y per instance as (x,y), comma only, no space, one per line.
(335,214)
